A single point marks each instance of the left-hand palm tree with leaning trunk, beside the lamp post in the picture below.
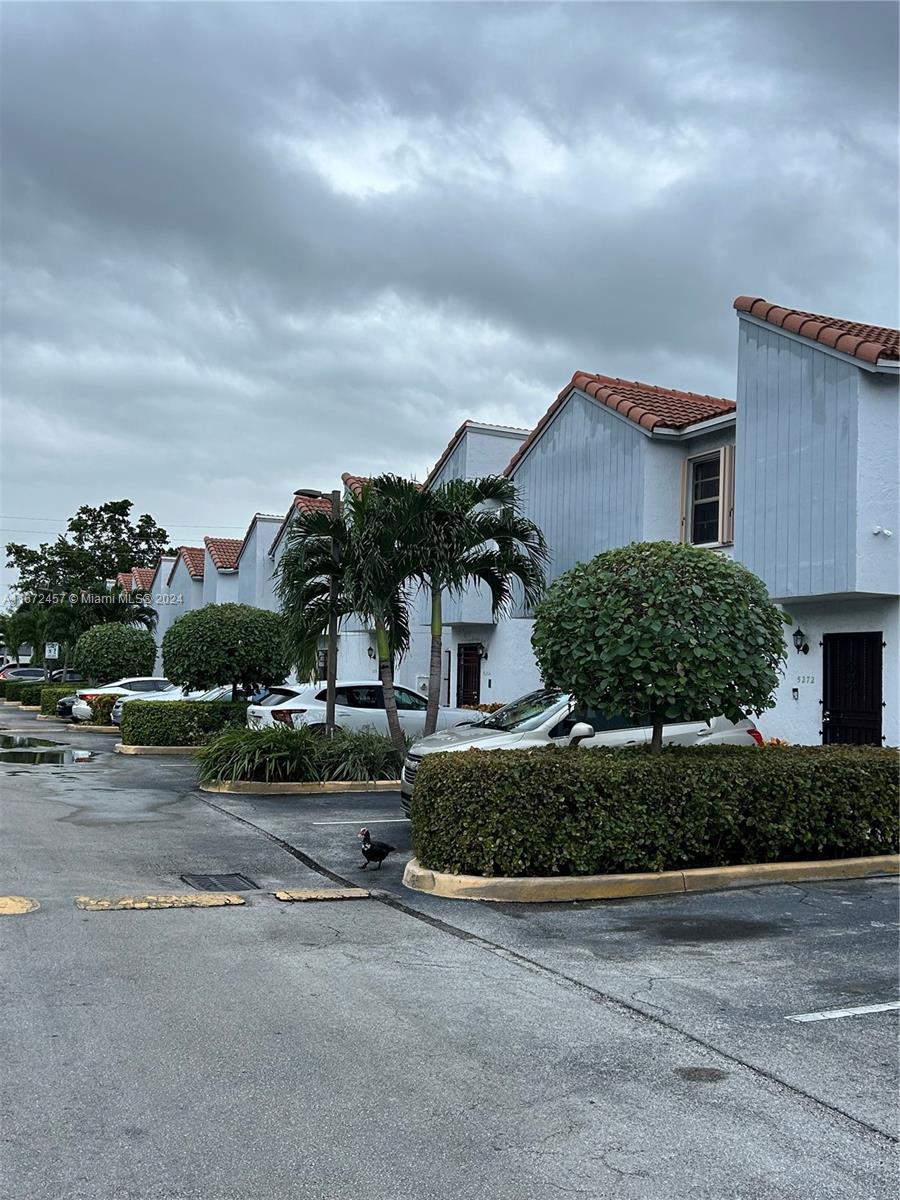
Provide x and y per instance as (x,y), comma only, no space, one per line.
(357,553)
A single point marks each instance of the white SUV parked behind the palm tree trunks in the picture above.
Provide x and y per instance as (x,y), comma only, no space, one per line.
(359,705)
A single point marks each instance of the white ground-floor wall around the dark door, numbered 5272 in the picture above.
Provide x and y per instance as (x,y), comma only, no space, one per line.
(801,721)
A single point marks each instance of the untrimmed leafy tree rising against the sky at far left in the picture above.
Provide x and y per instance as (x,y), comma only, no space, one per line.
(100,542)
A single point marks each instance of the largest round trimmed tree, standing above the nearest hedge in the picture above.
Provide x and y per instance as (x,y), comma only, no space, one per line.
(662,633)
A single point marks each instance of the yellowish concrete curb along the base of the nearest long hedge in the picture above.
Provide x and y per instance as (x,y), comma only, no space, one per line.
(545,890)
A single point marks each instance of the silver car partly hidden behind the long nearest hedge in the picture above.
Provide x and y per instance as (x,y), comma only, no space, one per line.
(553,718)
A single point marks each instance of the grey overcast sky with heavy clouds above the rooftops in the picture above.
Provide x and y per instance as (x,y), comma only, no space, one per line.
(248,248)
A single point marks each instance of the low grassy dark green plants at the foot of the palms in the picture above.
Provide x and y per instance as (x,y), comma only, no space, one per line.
(279,755)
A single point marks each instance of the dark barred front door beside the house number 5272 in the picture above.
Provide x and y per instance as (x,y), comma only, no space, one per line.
(851,689)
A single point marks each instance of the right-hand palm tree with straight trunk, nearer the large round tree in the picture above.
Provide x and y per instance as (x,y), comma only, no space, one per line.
(460,533)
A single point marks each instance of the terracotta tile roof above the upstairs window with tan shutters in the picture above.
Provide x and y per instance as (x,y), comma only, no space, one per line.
(641,403)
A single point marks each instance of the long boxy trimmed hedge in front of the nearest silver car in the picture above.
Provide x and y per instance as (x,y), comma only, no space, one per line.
(577,812)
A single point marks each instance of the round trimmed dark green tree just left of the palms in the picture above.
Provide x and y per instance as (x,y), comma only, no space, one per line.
(226,644)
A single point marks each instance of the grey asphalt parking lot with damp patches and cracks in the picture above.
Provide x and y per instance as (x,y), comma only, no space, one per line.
(409,1046)
